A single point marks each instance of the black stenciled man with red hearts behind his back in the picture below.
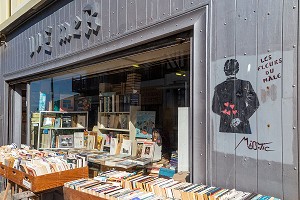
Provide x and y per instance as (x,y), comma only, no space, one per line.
(235,101)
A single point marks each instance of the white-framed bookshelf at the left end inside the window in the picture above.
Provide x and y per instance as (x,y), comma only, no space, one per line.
(56,128)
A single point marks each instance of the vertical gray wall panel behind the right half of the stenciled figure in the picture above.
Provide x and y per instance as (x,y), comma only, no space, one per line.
(246,45)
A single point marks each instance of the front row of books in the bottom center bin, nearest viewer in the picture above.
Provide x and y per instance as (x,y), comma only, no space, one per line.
(107,190)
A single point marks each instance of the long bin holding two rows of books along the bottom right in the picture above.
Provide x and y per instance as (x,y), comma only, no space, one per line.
(124,185)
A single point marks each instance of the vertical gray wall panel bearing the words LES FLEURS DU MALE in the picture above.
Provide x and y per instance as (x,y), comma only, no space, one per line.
(270,110)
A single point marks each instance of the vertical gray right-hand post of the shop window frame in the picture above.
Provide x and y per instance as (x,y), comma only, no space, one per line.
(199,104)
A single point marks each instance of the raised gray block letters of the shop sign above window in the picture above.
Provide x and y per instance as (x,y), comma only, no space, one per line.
(67,30)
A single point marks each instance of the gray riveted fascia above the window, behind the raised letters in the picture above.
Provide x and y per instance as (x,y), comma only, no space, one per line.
(115,17)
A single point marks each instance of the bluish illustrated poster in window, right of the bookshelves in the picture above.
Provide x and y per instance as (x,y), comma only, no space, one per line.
(145,122)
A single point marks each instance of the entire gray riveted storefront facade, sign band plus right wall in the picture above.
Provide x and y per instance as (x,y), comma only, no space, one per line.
(246,30)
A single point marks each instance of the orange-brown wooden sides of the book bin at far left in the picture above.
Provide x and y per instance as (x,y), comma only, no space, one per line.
(38,184)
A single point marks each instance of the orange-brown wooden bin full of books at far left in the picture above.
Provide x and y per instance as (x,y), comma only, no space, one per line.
(39,171)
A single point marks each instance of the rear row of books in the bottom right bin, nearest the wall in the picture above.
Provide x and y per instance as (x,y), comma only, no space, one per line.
(169,188)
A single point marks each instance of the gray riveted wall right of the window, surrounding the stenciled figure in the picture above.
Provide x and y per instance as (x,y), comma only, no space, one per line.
(249,31)
